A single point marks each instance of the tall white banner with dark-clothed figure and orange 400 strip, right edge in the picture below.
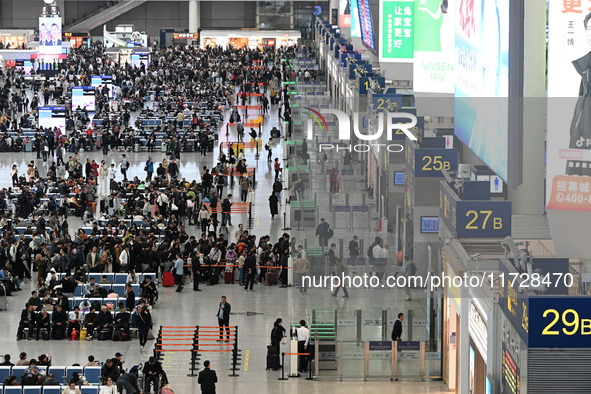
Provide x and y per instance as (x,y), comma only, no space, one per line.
(569,106)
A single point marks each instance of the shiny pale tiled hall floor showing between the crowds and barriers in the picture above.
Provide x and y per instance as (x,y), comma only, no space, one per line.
(189,308)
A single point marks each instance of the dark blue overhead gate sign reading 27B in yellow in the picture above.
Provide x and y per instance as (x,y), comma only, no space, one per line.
(474,219)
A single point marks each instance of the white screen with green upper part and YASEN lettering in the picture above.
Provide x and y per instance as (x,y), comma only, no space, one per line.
(434,46)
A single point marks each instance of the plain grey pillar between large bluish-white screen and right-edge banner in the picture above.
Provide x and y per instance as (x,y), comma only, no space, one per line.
(528,198)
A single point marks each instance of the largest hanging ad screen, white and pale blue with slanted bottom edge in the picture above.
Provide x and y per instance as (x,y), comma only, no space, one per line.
(482,80)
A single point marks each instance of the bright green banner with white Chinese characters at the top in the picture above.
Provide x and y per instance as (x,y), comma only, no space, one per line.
(397,31)
